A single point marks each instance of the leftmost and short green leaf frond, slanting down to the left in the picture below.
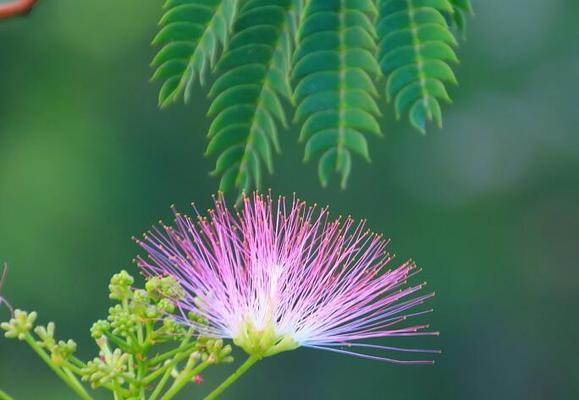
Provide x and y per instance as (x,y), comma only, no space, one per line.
(191,34)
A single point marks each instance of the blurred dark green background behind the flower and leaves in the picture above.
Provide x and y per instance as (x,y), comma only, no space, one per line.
(488,206)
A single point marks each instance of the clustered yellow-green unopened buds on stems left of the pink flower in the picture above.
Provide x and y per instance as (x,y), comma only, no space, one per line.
(140,342)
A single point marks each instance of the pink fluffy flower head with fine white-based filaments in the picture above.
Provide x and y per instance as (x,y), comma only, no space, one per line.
(273,278)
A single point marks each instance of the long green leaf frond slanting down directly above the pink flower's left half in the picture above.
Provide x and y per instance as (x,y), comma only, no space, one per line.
(246,97)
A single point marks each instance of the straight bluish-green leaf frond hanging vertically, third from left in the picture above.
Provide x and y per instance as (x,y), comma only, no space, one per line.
(334,65)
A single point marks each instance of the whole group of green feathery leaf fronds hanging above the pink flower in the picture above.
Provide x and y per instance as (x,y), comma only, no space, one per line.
(324,57)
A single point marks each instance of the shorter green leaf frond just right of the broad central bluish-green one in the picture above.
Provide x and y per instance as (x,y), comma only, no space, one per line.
(415,48)
